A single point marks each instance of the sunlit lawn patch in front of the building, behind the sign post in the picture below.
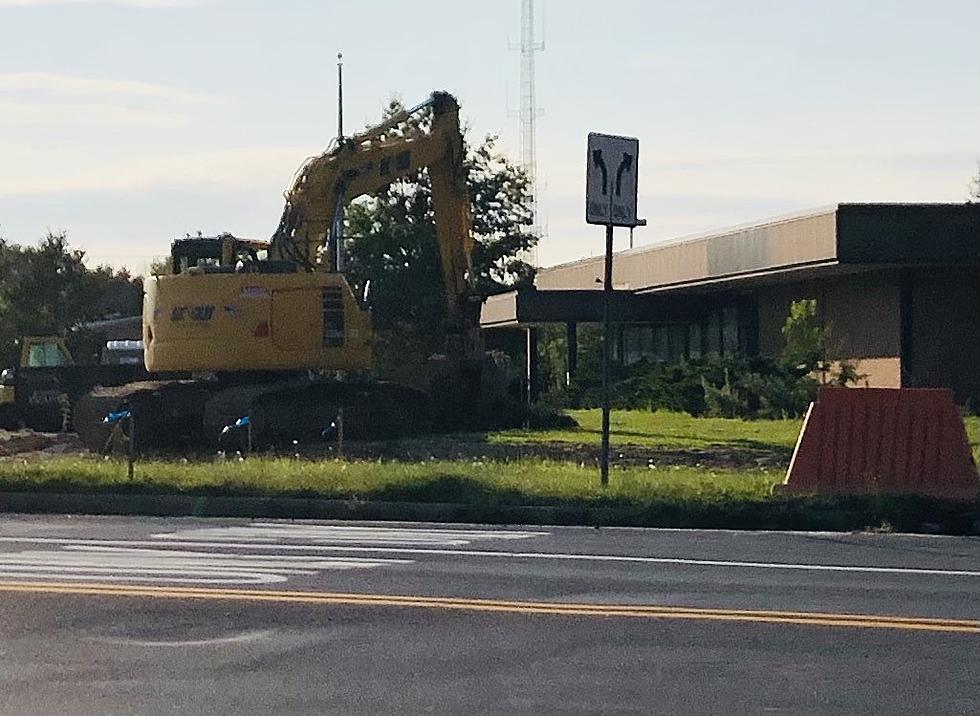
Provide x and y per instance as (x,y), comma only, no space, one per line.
(664,429)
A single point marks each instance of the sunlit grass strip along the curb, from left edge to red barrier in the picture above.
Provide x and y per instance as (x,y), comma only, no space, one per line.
(520,482)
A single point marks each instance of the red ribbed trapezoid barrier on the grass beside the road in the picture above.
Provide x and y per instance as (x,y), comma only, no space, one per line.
(883,441)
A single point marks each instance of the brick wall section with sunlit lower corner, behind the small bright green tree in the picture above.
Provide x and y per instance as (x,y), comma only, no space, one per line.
(863,310)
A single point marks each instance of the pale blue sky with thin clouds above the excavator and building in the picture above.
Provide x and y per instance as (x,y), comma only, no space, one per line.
(130,122)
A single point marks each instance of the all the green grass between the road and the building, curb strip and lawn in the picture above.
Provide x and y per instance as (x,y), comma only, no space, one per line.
(494,491)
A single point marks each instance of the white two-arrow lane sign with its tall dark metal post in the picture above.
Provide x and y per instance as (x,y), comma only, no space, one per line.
(610,200)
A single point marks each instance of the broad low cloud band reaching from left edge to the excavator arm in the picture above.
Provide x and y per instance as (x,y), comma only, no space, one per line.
(32,173)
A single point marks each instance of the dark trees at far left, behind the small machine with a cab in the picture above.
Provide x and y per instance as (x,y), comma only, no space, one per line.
(47,289)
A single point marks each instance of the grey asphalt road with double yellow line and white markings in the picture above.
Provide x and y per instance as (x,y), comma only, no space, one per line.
(152,616)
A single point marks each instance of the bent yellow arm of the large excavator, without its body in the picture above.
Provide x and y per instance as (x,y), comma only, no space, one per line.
(370,161)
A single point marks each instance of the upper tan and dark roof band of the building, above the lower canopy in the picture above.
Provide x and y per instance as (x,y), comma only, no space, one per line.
(855,234)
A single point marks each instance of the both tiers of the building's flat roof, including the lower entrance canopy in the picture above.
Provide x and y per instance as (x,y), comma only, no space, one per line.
(834,240)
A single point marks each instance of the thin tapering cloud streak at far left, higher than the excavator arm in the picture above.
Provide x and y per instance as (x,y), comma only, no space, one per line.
(98,87)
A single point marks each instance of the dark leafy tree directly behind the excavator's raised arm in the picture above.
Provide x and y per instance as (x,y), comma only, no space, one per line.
(393,251)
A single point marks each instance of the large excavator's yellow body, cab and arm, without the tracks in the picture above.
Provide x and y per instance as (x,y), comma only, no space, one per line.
(295,309)
